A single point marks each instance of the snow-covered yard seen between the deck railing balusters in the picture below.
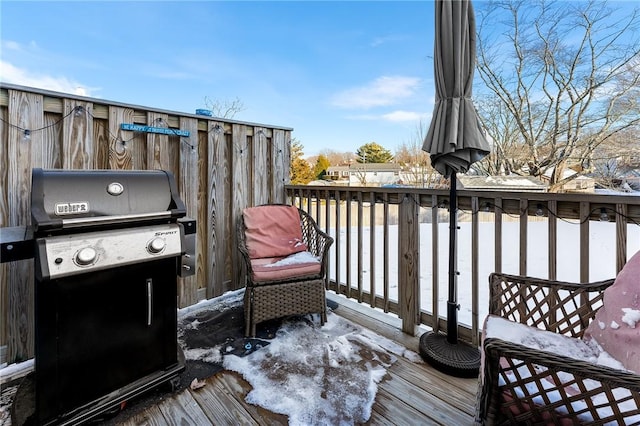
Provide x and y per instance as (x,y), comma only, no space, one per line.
(602,242)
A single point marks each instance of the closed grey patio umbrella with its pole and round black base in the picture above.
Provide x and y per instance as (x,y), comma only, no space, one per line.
(455,140)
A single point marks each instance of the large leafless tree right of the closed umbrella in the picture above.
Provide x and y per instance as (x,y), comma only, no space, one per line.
(561,79)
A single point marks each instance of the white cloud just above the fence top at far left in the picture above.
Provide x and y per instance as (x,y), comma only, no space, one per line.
(14,75)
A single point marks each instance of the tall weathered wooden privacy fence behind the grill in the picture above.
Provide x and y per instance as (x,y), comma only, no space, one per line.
(220,167)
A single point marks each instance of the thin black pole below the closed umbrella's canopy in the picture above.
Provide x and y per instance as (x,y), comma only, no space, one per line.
(452,305)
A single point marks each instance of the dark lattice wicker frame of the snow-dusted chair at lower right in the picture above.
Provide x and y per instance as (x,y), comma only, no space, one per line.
(515,378)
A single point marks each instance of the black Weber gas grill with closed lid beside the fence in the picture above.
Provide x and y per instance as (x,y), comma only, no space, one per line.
(109,246)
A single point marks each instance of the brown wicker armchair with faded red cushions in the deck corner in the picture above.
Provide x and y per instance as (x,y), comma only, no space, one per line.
(270,237)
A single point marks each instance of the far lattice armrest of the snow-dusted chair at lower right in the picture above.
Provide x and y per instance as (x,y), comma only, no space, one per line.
(558,306)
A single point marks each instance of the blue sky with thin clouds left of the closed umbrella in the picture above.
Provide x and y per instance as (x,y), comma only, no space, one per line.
(341,74)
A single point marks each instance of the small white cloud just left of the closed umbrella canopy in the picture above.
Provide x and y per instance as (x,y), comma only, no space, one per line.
(383,91)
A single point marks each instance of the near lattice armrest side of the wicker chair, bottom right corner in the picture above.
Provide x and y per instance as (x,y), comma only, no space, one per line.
(533,386)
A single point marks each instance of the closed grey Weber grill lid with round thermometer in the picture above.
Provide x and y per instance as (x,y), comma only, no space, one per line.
(64,199)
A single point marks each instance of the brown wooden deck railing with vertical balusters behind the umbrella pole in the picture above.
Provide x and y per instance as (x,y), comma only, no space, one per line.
(391,244)
